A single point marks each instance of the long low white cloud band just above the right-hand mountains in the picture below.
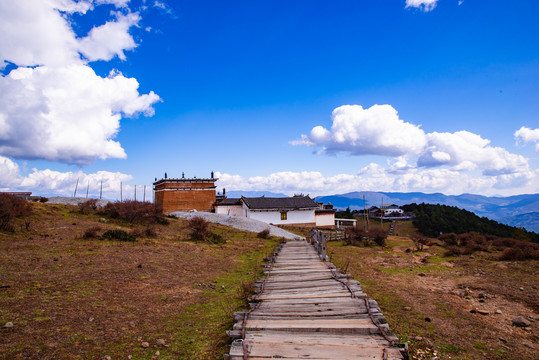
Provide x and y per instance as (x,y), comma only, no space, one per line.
(374,177)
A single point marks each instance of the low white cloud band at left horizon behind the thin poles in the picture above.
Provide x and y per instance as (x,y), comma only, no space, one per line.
(51,183)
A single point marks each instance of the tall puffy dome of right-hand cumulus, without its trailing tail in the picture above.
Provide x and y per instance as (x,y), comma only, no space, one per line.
(377,130)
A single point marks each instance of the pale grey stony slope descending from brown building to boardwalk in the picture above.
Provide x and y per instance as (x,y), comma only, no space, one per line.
(238,223)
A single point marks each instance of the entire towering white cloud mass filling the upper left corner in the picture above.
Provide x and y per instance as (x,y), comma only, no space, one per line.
(53,105)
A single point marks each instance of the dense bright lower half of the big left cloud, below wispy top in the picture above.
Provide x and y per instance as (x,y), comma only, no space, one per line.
(66,114)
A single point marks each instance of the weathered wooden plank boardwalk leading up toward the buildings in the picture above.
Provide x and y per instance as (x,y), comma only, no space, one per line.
(305,309)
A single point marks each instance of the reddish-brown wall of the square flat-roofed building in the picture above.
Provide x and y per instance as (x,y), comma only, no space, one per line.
(185,200)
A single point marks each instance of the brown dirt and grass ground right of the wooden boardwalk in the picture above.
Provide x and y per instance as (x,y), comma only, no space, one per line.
(449,308)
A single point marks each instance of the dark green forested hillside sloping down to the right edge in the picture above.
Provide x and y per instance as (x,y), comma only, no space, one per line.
(431,220)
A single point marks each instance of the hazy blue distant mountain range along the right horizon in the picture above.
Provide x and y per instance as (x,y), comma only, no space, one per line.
(508,210)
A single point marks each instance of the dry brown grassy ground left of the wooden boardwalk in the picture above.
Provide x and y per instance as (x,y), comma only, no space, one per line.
(75,298)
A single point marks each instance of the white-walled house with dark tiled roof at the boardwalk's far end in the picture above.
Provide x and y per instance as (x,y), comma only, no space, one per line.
(281,211)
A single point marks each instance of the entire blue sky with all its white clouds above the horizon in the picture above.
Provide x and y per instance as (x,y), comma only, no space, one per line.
(316,97)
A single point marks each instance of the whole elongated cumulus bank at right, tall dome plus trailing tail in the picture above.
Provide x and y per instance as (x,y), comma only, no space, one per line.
(378,130)
